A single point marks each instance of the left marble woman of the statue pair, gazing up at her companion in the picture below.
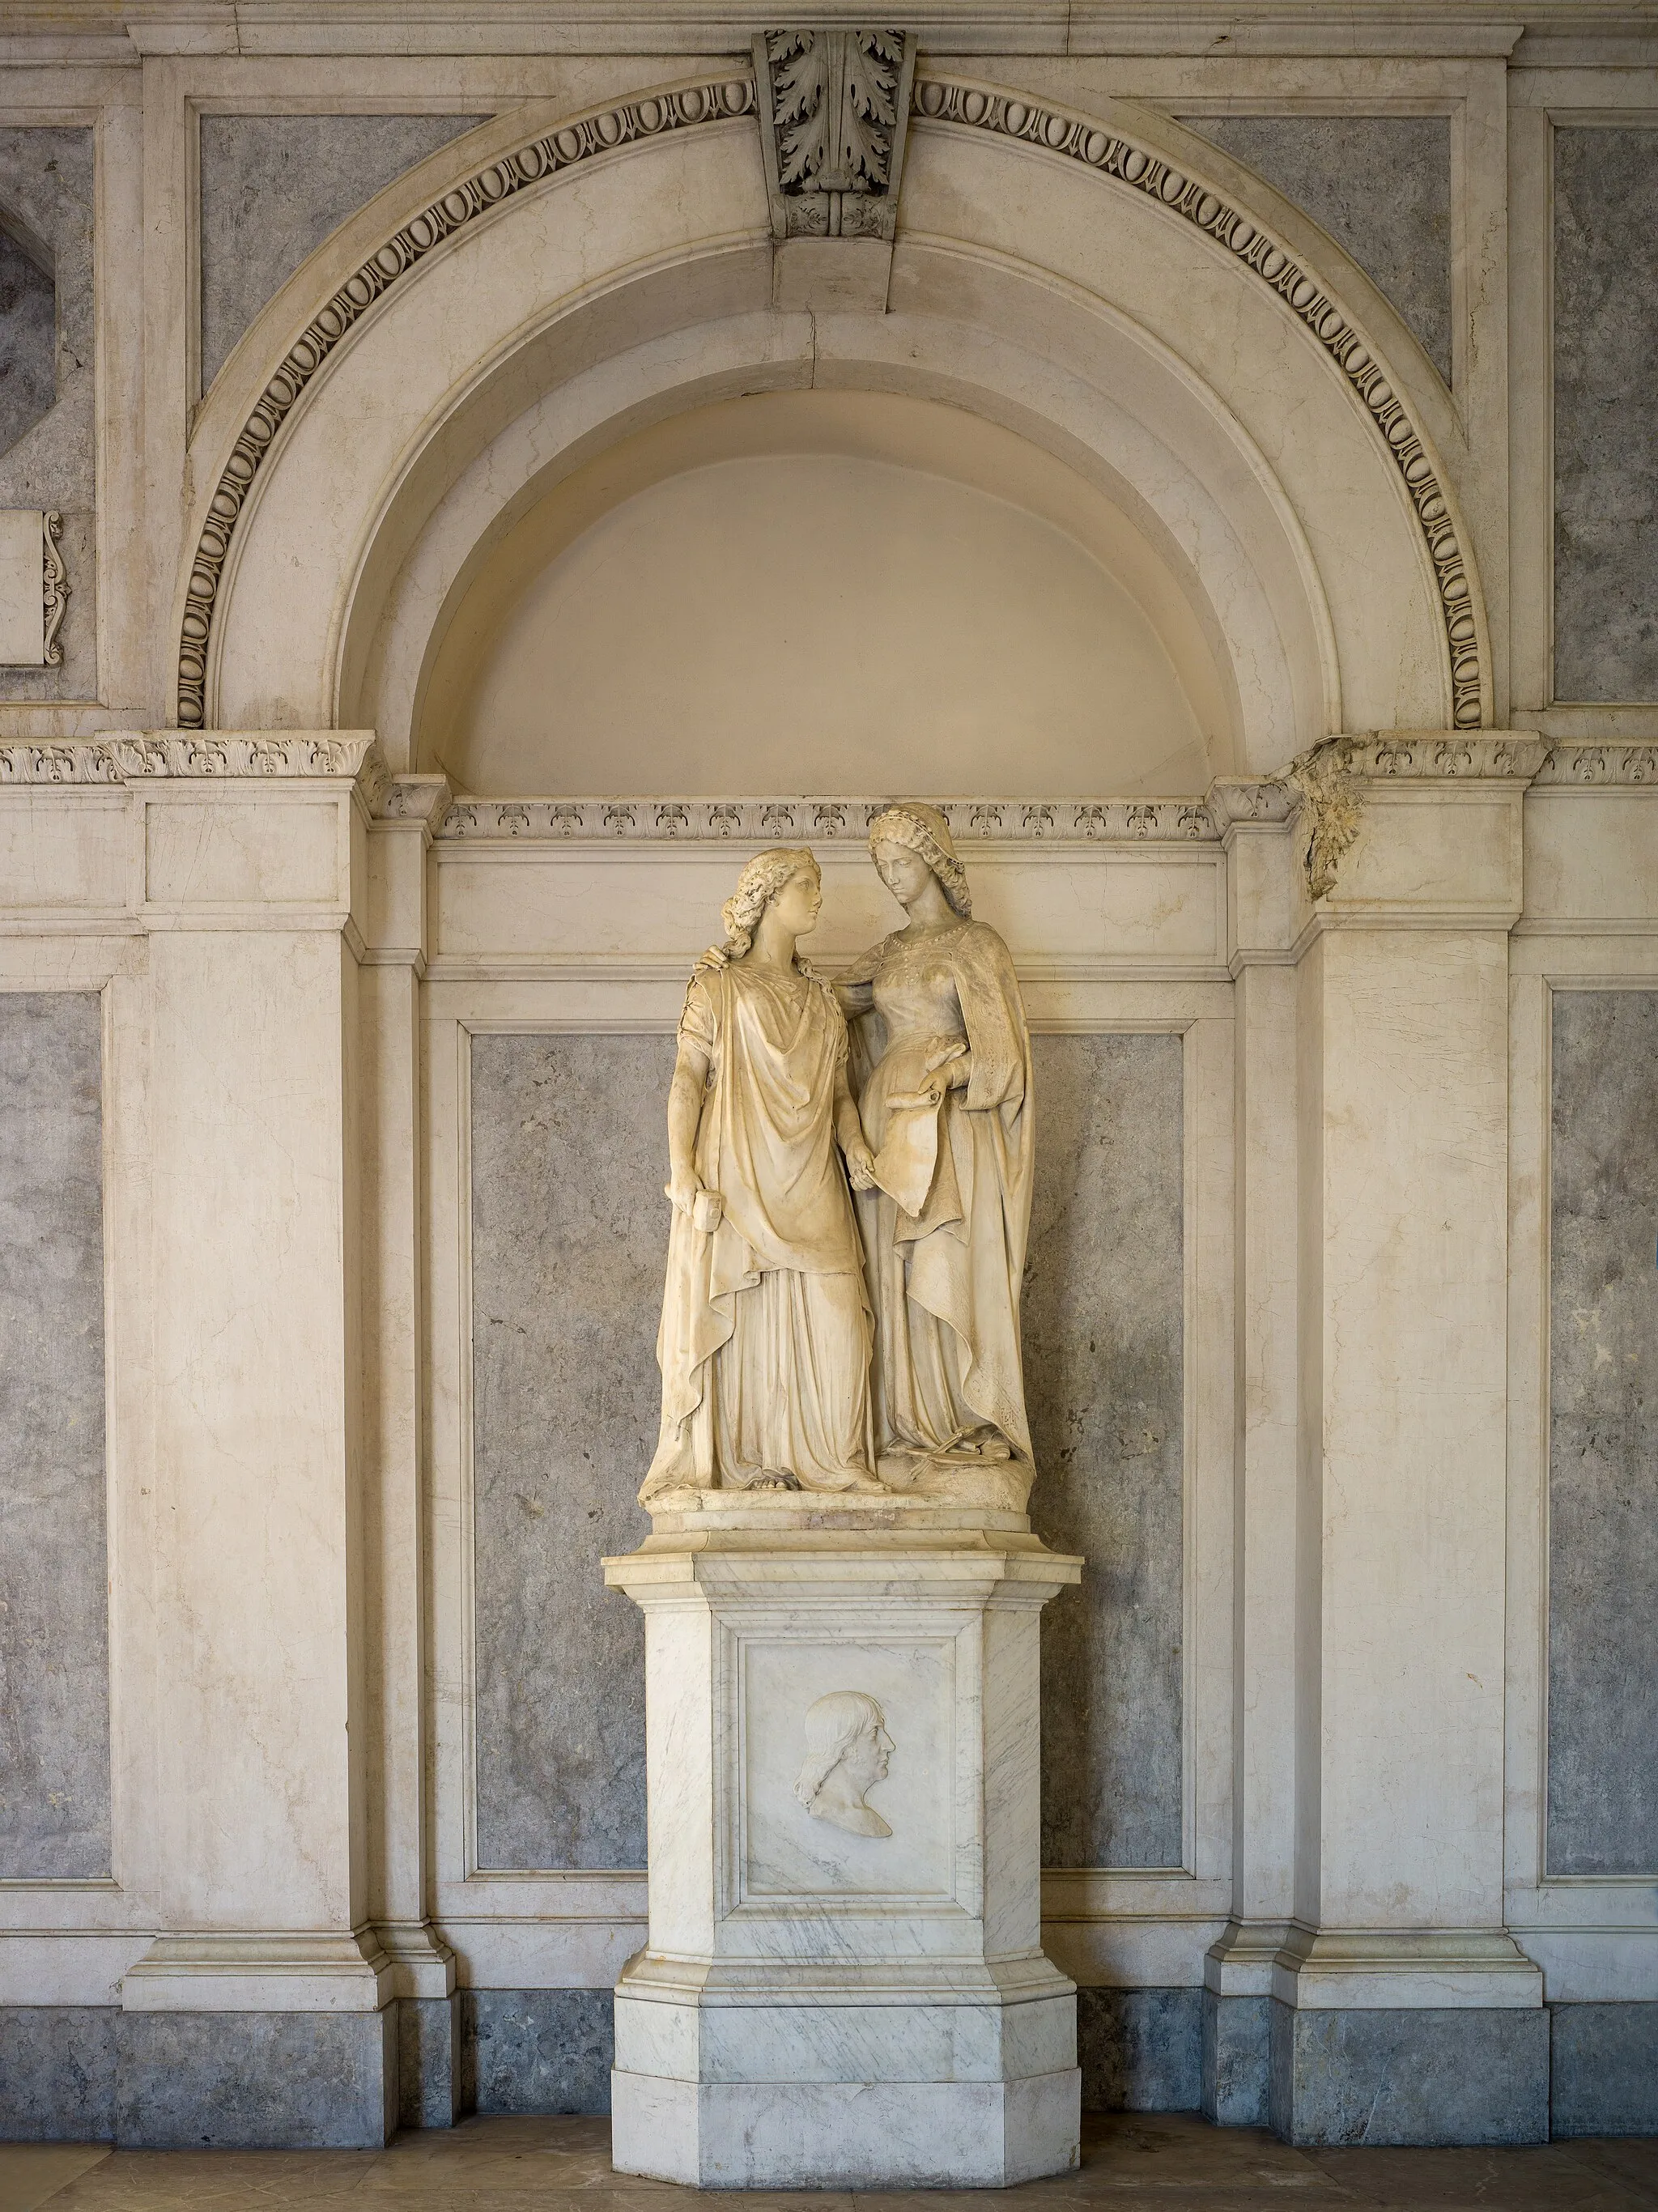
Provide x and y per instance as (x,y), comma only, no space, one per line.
(766,1326)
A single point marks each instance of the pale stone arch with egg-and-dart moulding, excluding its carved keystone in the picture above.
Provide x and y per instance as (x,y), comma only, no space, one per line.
(613,271)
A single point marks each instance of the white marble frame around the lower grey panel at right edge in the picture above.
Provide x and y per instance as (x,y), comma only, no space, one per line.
(1595,1937)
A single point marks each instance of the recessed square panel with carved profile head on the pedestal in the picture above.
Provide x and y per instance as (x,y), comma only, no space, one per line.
(848,1768)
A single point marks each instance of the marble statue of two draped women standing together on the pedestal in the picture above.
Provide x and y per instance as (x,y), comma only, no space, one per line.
(850,1178)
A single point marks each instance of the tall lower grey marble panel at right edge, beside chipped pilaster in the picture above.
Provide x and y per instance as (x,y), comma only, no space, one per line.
(1604,1437)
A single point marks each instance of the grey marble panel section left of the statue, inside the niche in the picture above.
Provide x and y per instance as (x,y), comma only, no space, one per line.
(569,1249)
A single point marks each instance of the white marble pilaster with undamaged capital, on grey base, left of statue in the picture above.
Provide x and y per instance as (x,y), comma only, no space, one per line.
(258,2014)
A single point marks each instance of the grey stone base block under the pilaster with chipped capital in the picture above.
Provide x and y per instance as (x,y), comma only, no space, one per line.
(1412,2076)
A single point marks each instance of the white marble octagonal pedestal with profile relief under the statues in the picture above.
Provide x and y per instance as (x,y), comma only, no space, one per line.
(850,1996)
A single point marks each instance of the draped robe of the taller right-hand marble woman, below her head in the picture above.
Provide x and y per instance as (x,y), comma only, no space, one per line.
(947,1242)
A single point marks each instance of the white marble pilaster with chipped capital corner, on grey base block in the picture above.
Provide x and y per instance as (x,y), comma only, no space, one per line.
(1412,881)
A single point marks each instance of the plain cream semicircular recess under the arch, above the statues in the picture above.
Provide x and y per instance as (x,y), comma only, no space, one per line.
(826,592)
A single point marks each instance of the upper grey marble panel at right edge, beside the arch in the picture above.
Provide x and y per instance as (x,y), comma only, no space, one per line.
(1606,415)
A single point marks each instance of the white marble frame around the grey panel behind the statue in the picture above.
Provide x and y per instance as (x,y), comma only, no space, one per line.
(1109,1928)
